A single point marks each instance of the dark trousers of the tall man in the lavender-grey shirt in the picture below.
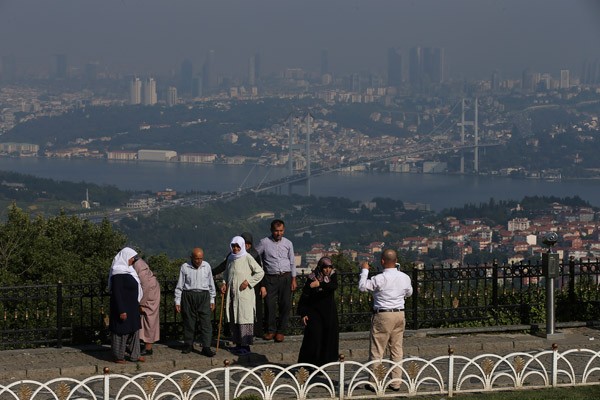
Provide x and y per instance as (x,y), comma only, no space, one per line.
(279,297)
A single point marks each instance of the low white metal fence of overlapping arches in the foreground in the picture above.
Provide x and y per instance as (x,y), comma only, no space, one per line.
(445,375)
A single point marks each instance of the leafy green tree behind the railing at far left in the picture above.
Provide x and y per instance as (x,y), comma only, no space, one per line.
(62,248)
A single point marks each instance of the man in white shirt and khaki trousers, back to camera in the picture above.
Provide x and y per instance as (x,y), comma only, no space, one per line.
(389,288)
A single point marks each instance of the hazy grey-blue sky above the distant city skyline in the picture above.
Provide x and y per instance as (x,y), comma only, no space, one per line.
(142,36)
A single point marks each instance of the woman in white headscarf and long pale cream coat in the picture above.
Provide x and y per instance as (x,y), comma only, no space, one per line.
(241,275)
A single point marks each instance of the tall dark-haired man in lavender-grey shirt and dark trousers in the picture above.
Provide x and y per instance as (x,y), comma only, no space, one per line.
(277,254)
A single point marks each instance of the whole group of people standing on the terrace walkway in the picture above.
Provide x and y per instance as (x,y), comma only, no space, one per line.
(250,275)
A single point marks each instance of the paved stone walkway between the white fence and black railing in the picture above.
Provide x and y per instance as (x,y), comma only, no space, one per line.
(78,362)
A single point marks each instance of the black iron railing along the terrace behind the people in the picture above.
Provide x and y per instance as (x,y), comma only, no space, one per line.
(463,295)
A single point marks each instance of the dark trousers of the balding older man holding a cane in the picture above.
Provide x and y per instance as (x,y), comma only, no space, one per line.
(195,312)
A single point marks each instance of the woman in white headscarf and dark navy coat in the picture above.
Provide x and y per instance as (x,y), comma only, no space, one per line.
(125,295)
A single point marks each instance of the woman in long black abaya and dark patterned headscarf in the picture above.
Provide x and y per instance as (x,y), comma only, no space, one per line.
(317,309)
